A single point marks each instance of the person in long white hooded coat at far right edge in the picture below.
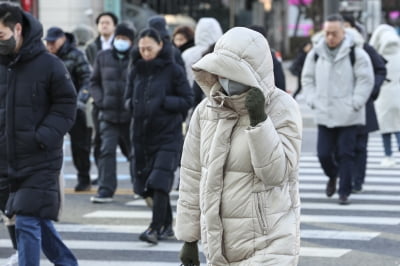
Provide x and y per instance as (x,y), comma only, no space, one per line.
(387,43)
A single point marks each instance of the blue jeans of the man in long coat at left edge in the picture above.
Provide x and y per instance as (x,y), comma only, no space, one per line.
(33,233)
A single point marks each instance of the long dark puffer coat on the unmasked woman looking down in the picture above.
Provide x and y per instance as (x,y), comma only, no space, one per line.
(158,96)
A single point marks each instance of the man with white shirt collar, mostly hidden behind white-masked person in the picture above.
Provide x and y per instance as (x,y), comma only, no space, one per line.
(106,23)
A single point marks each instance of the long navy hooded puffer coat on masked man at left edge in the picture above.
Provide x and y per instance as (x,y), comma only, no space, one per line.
(37,108)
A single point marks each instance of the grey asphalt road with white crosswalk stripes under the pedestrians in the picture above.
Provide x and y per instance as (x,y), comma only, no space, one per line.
(367,232)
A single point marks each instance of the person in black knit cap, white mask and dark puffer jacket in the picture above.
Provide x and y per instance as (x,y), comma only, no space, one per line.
(107,88)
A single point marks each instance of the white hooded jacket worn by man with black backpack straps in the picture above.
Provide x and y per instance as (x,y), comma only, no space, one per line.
(336,90)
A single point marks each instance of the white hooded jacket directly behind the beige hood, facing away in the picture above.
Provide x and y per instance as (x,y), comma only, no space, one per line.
(207,32)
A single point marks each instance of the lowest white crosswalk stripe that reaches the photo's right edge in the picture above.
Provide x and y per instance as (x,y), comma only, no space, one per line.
(349,219)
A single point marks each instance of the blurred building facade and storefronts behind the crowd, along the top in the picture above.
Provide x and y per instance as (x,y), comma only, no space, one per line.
(285,19)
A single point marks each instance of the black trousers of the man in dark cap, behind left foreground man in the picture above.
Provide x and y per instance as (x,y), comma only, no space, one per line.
(80,136)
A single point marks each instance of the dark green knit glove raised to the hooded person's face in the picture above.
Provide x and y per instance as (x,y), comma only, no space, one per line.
(255,104)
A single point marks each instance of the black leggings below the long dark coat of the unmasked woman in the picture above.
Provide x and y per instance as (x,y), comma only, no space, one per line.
(162,212)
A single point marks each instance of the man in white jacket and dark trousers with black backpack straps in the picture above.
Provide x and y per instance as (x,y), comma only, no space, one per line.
(337,90)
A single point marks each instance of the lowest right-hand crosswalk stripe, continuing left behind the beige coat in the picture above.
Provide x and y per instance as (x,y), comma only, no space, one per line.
(168,246)
